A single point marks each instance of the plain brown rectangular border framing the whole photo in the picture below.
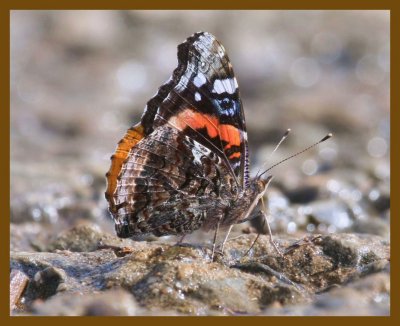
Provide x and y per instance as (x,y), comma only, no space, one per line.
(7,5)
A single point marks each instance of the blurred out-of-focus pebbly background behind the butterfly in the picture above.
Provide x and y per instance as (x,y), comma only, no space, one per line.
(79,79)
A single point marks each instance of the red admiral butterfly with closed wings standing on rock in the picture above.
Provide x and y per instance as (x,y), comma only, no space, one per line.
(185,166)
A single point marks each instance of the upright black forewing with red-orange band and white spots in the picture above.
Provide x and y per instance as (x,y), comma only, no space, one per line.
(202,99)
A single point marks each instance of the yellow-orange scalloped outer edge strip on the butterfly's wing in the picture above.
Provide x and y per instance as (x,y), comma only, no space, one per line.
(131,138)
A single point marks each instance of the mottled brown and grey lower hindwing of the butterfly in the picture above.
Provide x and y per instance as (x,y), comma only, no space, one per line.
(173,190)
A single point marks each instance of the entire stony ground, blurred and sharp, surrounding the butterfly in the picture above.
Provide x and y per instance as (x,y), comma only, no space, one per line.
(80,79)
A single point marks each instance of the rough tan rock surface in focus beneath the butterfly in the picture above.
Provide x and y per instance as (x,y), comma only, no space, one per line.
(182,279)
